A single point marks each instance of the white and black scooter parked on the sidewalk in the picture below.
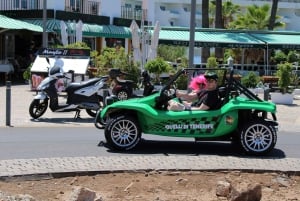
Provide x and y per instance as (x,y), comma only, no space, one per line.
(85,95)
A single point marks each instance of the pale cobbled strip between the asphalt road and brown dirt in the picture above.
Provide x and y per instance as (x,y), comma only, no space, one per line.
(92,165)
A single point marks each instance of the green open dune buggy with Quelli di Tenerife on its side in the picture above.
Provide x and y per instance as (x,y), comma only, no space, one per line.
(242,117)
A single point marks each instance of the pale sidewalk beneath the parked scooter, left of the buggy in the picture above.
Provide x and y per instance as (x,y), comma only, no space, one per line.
(21,97)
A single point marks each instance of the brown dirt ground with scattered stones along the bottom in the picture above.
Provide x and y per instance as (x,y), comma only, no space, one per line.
(156,185)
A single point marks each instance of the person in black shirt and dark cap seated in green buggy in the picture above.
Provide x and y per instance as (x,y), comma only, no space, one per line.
(208,99)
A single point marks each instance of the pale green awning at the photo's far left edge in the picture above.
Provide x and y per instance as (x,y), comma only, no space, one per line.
(10,23)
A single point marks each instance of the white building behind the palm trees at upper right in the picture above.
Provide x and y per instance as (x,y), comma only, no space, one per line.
(177,12)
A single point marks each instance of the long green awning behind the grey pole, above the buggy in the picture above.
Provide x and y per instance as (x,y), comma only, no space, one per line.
(227,39)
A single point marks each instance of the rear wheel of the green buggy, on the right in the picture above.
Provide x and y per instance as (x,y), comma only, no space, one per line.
(258,137)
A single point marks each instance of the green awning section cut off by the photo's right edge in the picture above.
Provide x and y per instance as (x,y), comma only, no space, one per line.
(280,40)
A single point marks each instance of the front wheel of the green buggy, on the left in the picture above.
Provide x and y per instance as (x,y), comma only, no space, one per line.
(122,133)
